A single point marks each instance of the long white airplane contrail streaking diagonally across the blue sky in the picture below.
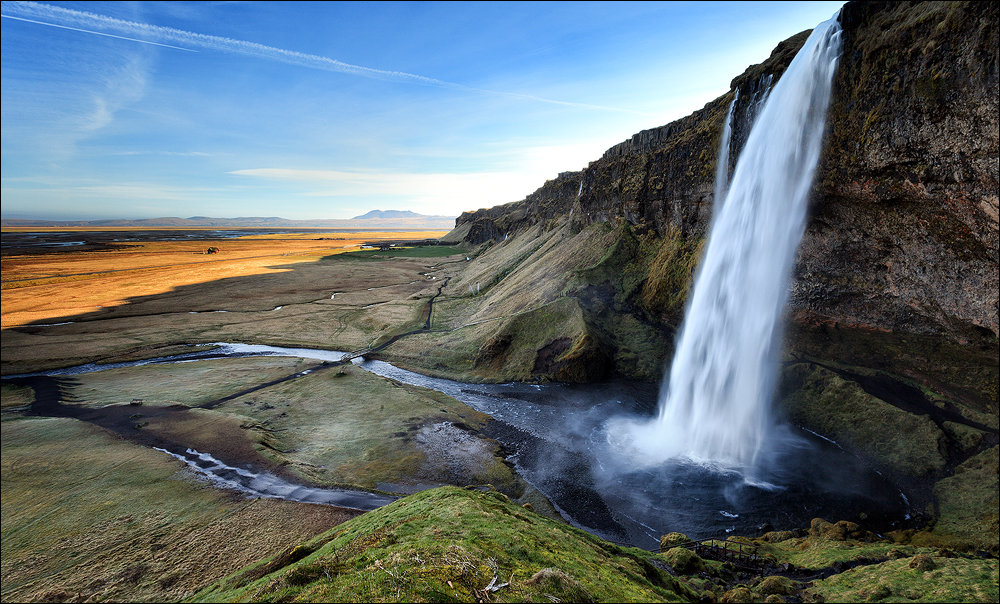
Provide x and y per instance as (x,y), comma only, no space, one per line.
(65,18)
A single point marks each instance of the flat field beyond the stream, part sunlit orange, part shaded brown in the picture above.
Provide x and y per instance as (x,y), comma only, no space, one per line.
(110,298)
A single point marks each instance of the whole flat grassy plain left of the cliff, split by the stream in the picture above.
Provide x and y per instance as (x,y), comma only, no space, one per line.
(90,513)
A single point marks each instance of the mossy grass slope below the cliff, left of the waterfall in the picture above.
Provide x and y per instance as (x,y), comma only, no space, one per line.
(558,304)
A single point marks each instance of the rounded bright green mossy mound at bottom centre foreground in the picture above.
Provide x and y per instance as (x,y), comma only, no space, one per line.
(452,544)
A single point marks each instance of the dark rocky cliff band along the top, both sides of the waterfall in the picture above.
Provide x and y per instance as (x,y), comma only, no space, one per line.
(904,228)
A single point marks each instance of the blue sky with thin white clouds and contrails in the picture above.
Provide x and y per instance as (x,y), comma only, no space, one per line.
(329,110)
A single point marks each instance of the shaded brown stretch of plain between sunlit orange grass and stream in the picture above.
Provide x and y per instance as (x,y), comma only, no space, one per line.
(294,305)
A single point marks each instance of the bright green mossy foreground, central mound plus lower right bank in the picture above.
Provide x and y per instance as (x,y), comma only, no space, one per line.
(462,545)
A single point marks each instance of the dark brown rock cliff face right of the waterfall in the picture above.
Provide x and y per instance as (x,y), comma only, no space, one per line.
(903,234)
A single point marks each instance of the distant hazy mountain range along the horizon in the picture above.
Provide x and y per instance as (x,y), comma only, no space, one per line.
(376,219)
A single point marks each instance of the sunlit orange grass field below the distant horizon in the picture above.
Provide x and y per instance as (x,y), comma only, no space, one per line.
(48,286)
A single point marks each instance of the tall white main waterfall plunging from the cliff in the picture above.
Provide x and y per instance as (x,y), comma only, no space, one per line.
(715,407)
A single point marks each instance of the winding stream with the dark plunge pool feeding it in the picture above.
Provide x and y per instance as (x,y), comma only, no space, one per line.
(555,434)
